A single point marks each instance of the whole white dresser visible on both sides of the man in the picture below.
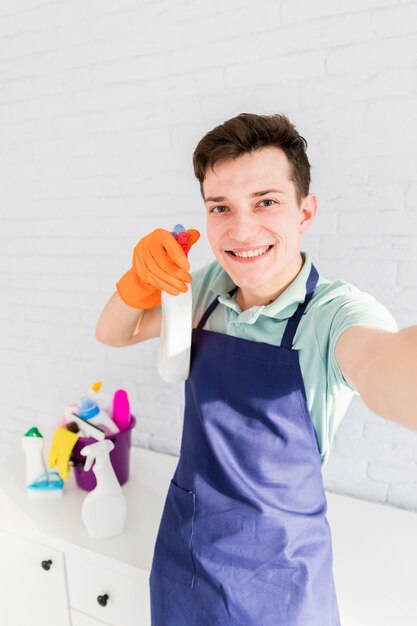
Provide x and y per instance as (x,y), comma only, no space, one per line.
(52,574)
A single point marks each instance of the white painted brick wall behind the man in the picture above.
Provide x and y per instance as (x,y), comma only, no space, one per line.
(101,105)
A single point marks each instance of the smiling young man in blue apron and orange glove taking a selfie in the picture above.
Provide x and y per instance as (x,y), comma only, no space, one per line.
(278,352)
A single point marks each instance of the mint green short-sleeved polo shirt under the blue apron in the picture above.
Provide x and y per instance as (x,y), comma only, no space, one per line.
(334,307)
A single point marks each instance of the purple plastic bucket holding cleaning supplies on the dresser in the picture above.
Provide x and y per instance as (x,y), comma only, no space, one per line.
(119,457)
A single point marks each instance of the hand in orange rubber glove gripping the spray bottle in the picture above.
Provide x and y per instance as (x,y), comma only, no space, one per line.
(159,263)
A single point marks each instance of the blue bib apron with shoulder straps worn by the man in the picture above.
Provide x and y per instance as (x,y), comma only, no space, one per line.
(243,538)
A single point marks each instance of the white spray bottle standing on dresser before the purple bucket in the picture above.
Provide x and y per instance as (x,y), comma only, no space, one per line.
(104,509)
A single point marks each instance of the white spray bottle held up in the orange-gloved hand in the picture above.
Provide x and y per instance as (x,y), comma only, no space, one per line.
(175,340)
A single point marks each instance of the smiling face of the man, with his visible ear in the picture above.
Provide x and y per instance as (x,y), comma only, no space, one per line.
(254,223)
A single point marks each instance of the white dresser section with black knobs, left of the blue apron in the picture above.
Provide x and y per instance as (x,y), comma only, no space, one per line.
(52,573)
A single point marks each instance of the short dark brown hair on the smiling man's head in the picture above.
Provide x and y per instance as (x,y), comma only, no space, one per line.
(248,132)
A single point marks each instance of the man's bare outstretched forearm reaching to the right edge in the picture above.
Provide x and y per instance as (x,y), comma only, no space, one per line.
(388,382)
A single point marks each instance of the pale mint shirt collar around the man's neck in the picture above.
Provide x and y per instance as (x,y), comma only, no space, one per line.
(282,308)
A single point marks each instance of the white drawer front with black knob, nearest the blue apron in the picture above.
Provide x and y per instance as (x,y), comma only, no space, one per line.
(127,602)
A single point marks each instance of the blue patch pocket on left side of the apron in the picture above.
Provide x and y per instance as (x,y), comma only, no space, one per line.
(172,556)
